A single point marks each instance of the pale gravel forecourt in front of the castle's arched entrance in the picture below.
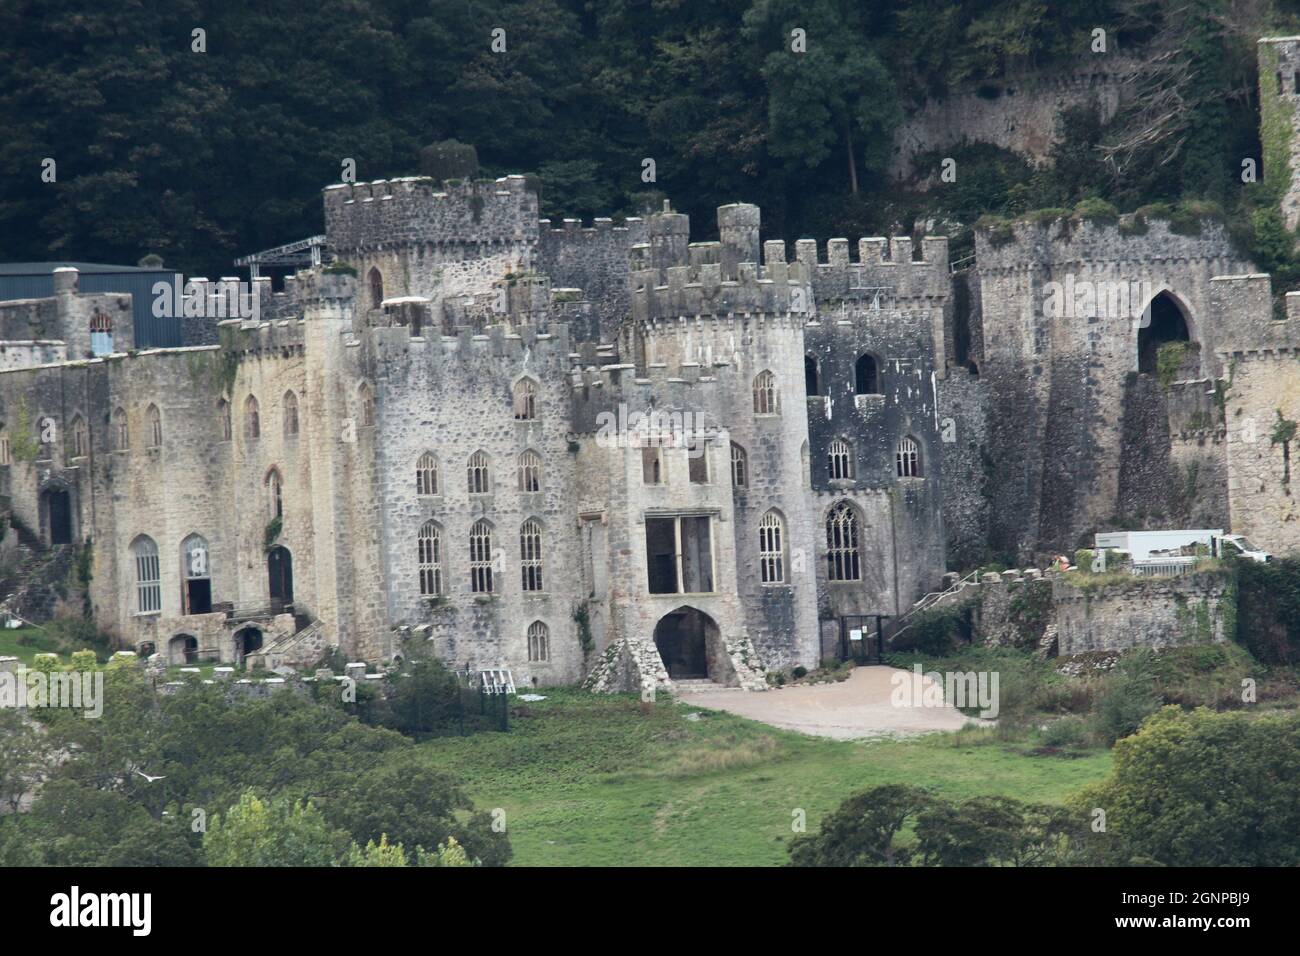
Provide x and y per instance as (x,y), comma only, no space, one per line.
(861,707)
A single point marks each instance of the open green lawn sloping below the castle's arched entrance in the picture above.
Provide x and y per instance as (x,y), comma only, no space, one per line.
(590,780)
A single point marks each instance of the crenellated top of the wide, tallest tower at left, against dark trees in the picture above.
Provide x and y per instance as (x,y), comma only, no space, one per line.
(421,210)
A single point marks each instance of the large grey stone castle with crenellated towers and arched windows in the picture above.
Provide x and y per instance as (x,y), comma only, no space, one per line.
(617,456)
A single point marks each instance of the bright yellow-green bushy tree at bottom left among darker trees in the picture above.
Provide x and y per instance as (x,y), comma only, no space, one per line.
(274,833)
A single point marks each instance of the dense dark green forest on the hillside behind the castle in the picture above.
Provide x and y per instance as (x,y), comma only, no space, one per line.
(202,157)
